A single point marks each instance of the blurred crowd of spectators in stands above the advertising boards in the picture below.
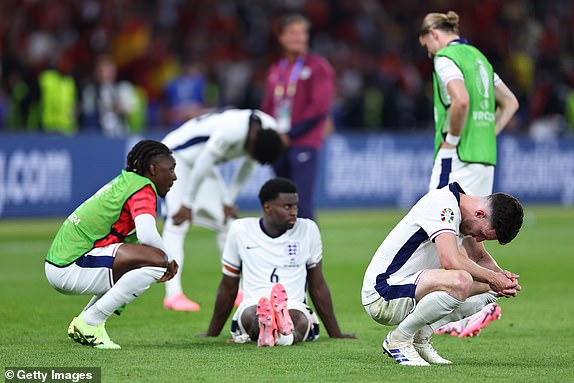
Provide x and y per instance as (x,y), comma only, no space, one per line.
(219,51)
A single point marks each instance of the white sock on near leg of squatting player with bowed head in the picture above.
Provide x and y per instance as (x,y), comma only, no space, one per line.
(428,310)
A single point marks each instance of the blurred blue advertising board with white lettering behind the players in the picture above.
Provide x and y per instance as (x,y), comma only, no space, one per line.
(51,175)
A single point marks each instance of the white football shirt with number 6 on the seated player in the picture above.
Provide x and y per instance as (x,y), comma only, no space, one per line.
(263,261)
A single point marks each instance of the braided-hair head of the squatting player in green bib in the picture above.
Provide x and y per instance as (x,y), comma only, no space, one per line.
(152,159)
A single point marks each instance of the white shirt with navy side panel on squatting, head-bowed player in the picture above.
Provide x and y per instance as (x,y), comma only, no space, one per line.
(410,247)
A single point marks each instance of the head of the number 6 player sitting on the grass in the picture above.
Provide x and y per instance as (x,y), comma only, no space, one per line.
(279,200)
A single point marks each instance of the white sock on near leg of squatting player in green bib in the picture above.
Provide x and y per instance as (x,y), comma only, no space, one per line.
(126,289)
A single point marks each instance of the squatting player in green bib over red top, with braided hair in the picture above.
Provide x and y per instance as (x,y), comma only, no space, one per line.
(90,254)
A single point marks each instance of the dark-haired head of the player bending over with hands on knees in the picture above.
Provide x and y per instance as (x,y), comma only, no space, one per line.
(263,144)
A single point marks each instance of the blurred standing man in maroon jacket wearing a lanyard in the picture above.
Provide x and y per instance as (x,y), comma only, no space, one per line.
(299,91)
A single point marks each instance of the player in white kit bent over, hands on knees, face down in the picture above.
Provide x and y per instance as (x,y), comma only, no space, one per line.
(199,147)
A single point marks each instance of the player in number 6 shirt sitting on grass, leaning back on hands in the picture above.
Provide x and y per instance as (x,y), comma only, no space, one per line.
(276,256)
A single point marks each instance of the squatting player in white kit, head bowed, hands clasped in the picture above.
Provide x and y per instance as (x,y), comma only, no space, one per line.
(405,286)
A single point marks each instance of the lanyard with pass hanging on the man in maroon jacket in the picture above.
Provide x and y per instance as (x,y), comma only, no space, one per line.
(285,91)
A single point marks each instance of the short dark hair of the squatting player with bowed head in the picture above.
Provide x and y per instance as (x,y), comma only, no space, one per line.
(506,216)
